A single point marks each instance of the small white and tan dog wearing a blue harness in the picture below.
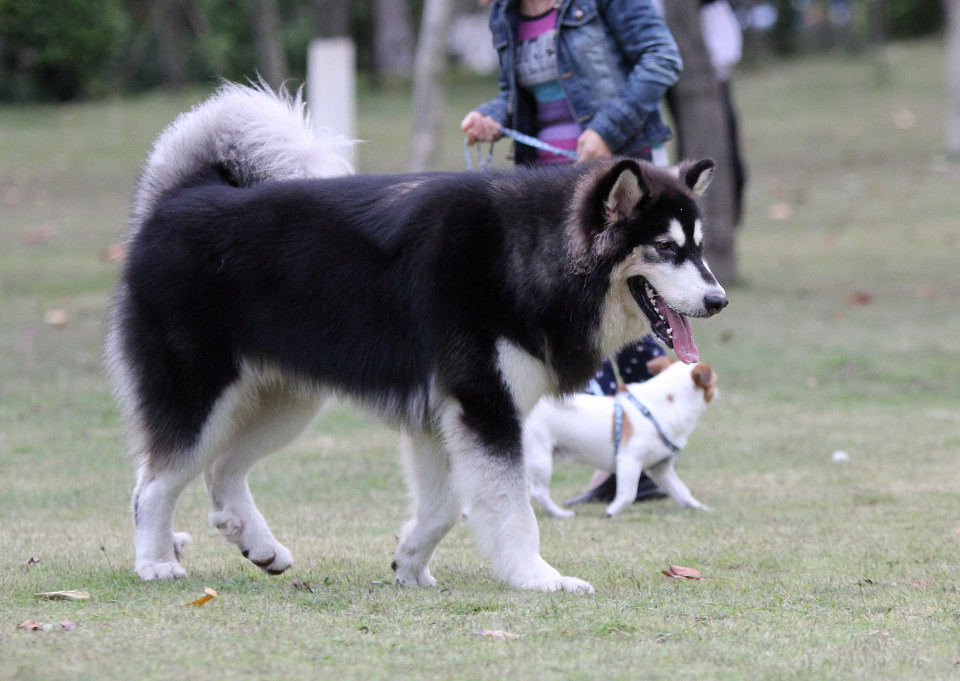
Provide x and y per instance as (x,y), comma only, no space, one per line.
(588,429)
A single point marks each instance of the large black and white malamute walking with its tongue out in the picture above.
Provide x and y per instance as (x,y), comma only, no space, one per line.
(448,303)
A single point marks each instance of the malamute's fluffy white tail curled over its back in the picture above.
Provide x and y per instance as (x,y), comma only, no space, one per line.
(250,134)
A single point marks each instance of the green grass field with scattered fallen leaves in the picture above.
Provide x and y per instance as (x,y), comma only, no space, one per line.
(844,335)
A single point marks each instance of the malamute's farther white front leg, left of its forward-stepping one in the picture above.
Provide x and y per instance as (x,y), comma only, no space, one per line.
(435,509)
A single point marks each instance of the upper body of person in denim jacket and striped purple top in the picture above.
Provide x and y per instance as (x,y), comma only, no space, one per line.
(613,60)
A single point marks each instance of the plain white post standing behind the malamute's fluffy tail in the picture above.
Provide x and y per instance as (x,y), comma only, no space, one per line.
(331,85)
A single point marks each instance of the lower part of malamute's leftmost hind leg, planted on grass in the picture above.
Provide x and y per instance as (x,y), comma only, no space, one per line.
(157,546)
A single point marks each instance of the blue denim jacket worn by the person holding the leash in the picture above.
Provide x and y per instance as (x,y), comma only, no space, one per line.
(616,59)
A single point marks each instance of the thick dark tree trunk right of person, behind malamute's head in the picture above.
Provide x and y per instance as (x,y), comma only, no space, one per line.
(701,122)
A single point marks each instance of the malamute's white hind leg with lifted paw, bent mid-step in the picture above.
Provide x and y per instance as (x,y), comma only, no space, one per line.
(279,415)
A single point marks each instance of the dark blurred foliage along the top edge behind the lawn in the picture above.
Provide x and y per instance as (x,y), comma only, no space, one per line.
(60,50)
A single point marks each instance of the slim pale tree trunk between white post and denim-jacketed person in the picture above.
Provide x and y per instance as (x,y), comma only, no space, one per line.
(429,85)
